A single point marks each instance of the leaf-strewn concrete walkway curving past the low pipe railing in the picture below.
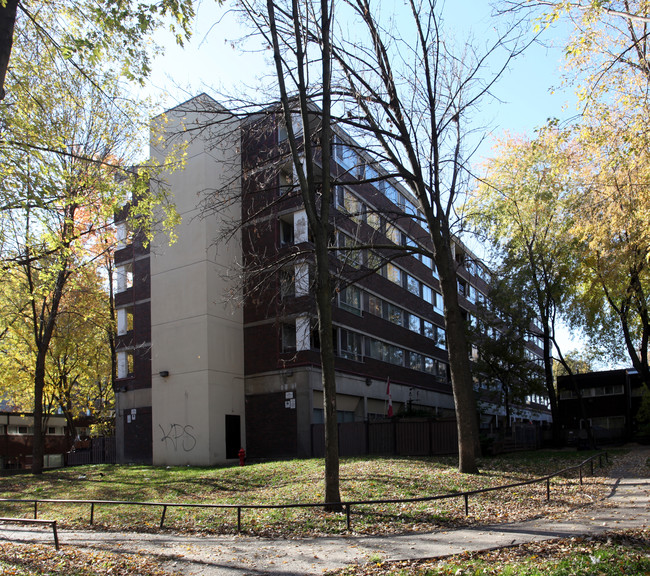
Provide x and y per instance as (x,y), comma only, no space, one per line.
(628,506)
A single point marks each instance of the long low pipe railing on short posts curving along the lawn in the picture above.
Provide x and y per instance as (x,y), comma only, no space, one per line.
(346,505)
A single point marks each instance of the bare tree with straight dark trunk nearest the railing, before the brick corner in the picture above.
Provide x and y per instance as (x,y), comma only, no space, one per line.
(299,35)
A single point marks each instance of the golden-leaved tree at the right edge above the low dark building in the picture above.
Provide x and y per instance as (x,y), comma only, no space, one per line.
(613,223)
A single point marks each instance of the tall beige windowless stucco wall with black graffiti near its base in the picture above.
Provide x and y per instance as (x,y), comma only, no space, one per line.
(197,332)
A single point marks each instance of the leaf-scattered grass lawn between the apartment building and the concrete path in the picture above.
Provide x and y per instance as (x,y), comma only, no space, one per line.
(302,481)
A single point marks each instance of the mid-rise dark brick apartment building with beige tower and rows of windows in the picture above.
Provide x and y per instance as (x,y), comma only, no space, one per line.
(217,343)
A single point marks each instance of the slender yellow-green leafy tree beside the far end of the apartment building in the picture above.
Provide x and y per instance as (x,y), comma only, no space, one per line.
(522,208)
